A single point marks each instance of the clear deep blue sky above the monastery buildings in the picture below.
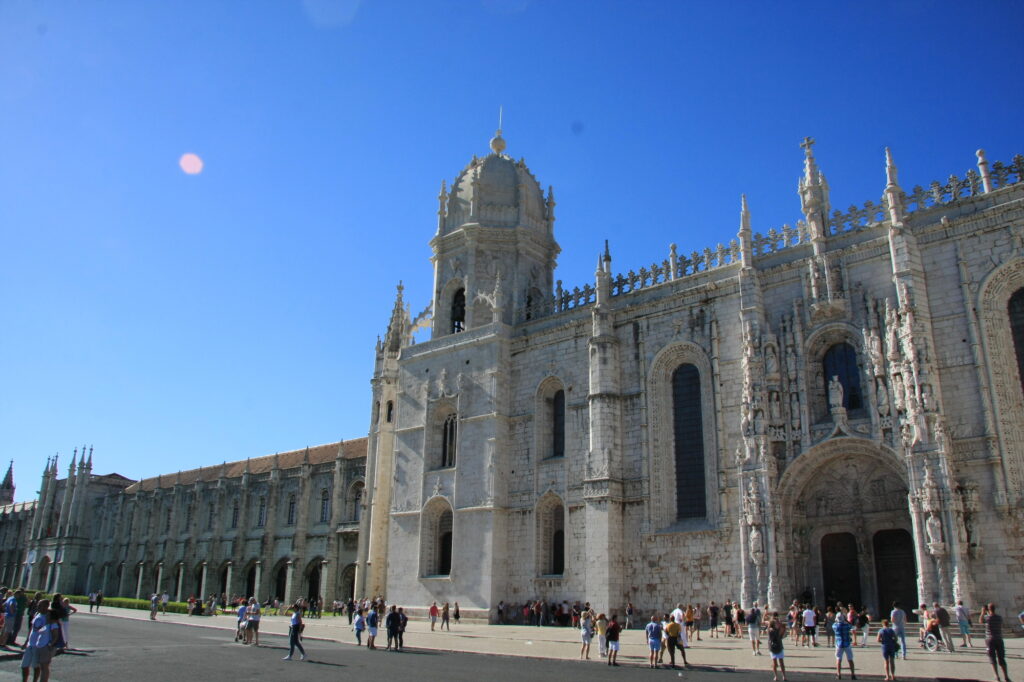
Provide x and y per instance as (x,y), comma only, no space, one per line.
(176,321)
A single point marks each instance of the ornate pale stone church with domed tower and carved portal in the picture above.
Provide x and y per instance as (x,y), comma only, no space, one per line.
(831,410)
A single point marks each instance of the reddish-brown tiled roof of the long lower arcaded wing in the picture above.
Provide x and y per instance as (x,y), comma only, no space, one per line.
(351,450)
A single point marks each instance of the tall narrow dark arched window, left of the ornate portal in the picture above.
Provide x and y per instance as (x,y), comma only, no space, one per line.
(689,432)
